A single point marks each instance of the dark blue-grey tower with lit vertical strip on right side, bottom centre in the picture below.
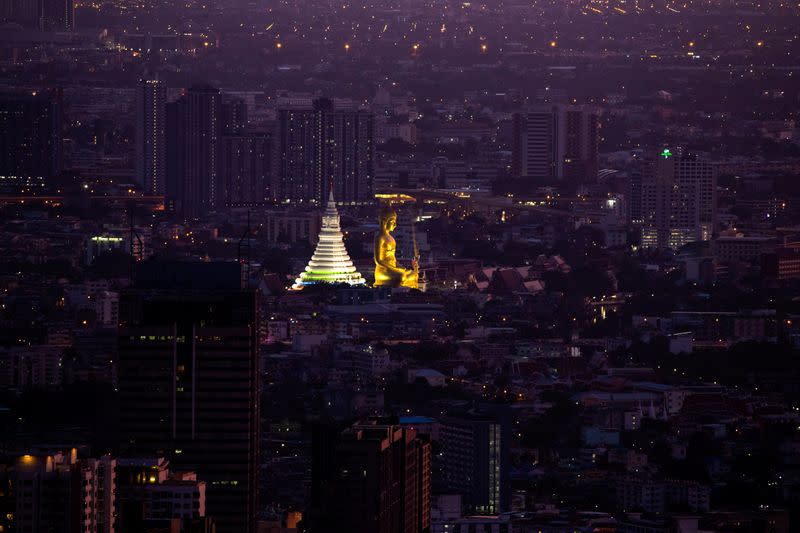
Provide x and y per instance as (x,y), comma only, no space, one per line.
(474,461)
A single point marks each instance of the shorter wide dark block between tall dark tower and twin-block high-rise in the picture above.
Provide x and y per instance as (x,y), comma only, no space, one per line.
(246,169)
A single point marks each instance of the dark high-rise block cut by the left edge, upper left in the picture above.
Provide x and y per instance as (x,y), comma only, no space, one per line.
(30,140)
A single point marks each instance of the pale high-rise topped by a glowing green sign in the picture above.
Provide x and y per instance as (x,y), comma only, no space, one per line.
(678,200)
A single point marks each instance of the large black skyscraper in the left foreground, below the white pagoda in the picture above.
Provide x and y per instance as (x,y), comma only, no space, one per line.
(188,380)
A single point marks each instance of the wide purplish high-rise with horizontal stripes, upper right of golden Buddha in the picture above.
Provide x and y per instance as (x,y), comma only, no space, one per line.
(556,143)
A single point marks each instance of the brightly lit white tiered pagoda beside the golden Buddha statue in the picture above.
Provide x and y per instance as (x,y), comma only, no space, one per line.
(330,263)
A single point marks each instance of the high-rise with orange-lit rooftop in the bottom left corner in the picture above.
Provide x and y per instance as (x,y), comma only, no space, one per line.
(62,492)
